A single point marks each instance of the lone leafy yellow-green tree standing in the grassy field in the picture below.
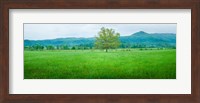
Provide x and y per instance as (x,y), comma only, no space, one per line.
(107,39)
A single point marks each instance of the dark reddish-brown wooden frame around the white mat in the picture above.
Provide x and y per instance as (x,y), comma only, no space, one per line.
(5,5)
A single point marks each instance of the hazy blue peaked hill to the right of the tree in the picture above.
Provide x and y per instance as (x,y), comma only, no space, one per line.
(150,40)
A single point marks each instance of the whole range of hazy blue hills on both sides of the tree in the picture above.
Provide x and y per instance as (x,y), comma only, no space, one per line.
(138,39)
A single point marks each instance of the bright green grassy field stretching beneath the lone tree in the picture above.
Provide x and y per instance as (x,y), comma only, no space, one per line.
(96,64)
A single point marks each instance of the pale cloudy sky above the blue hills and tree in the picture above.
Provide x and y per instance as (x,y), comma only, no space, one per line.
(51,31)
